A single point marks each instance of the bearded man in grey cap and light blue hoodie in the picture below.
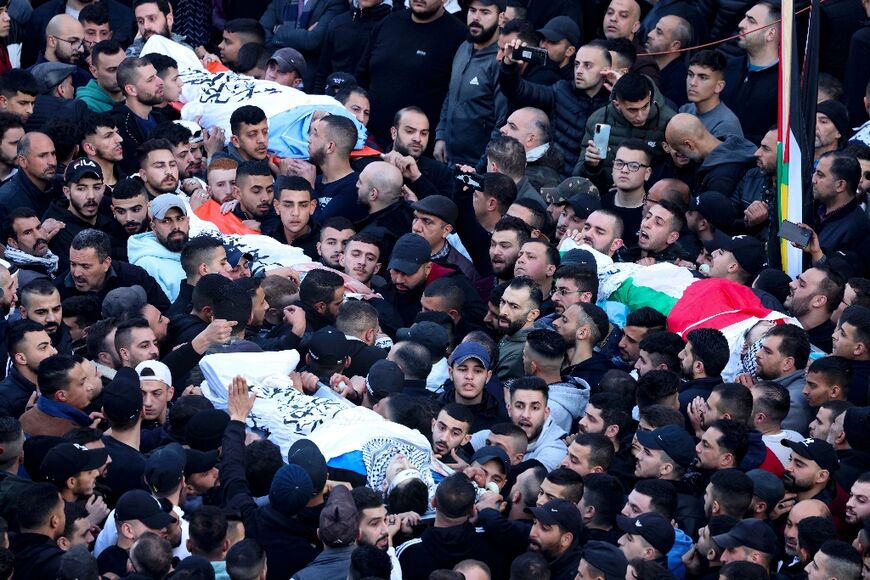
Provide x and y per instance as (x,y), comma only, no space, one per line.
(159,251)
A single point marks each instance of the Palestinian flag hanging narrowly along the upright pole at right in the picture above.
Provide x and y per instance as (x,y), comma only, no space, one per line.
(798,86)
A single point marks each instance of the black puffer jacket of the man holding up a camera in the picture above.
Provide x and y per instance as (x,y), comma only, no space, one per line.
(568,109)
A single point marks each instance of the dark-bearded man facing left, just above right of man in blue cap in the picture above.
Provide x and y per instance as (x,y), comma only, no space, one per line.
(519,308)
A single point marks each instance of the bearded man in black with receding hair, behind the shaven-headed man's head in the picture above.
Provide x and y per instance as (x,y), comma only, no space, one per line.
(423,175)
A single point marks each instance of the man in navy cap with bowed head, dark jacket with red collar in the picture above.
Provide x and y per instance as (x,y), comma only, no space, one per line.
(411,269)
